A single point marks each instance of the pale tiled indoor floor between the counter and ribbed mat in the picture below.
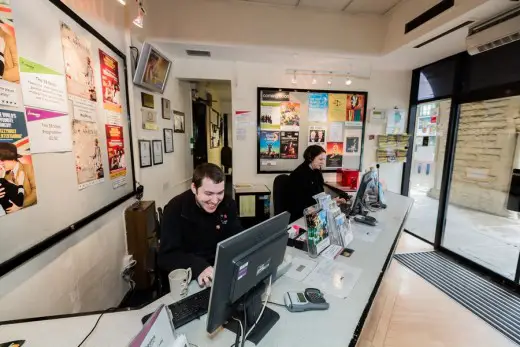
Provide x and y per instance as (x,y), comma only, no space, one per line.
(410,312)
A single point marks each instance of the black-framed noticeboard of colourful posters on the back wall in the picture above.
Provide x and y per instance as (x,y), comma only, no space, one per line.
(289,120)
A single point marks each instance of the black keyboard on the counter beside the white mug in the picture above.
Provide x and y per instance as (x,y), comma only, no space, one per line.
(188,309)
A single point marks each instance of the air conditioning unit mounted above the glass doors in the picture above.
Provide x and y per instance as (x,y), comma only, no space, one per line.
(500,30)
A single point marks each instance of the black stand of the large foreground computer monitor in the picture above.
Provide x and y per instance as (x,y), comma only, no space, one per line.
(252,305)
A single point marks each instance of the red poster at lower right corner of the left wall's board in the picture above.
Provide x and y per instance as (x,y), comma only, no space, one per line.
(116,155)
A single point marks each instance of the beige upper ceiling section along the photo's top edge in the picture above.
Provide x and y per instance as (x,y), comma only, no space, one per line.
(379,7)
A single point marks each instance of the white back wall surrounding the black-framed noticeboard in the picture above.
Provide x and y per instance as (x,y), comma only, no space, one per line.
(386,89)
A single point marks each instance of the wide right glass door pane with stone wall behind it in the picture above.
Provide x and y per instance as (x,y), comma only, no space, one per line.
(483,220)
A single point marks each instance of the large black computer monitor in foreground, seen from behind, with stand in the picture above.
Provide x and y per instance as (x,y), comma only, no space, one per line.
(243,263)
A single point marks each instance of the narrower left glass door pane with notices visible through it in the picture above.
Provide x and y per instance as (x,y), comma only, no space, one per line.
(429,146)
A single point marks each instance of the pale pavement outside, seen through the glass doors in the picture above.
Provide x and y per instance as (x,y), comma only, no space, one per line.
(489,240)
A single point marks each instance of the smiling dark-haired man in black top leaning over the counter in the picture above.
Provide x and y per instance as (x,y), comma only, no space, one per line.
(195,221)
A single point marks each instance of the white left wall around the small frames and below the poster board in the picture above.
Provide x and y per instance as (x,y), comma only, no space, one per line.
(82,273)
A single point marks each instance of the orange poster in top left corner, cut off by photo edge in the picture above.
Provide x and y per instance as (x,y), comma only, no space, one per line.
(10,94)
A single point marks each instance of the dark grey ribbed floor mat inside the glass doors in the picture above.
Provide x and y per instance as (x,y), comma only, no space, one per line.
(495,305)
